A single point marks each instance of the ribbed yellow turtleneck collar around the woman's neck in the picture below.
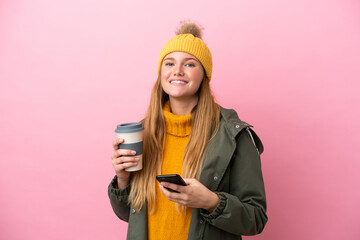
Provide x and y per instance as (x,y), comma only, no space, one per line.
(178,125)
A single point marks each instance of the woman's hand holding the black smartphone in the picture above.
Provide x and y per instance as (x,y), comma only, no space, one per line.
(194,195)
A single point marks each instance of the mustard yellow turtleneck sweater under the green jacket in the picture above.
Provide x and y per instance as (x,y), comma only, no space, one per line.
(166,222)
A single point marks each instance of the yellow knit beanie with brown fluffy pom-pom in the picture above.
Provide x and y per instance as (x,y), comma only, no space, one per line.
(189,40)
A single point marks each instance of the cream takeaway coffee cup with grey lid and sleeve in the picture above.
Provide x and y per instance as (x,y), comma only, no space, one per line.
(132,133)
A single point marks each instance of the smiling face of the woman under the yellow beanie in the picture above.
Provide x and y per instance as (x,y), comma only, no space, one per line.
(181,75)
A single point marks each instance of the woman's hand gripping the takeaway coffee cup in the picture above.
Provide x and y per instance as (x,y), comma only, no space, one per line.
(120,161)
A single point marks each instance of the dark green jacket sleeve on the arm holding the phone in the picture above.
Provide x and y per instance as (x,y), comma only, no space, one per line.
(242,209)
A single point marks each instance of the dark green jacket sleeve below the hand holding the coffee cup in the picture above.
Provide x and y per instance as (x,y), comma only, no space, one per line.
(119,200)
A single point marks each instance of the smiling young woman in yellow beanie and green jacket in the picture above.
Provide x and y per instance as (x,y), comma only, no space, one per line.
(187,133)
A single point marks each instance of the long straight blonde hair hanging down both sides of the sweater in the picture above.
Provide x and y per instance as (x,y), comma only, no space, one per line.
(204,124)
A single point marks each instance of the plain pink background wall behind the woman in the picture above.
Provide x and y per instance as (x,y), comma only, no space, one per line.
(71,70)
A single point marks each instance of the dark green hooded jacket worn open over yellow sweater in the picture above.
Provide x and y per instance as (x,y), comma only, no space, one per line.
(232,170)
